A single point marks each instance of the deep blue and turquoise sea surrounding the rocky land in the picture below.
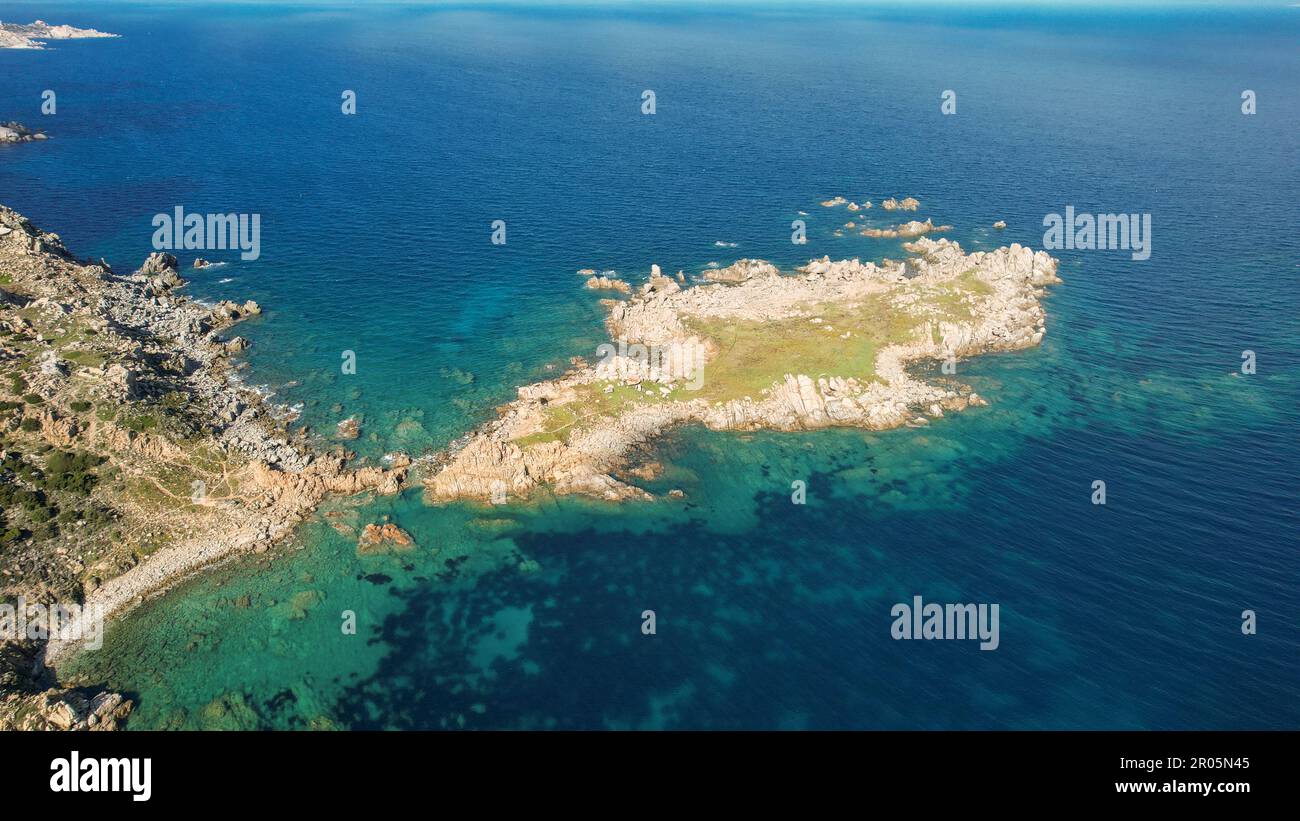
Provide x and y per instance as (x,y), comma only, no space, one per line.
(376,238)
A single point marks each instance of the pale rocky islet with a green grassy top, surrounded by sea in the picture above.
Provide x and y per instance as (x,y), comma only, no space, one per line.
(757,349)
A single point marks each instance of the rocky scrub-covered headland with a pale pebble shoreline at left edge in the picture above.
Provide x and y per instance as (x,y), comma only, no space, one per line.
(132,454)
